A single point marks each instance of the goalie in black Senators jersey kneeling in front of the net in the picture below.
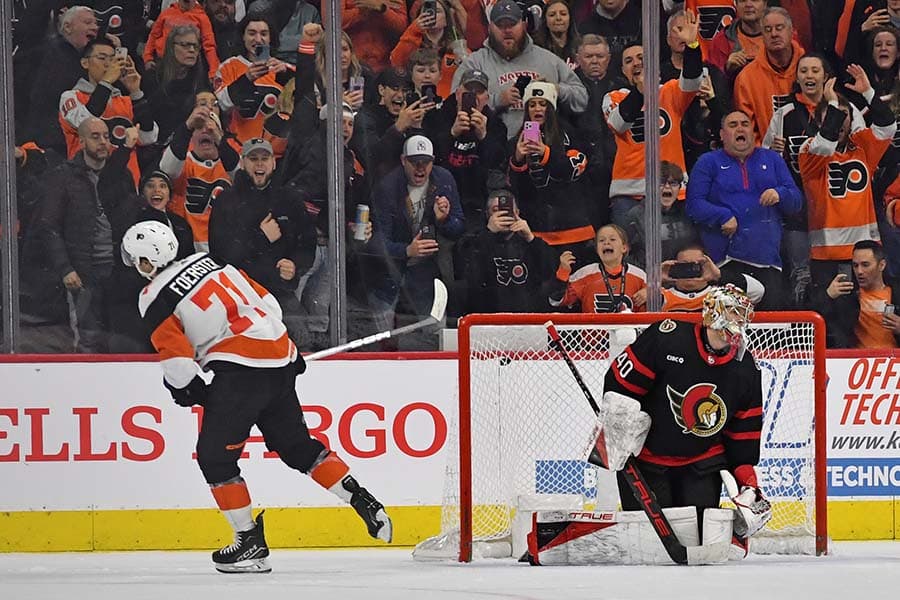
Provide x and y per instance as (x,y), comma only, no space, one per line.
(703,393)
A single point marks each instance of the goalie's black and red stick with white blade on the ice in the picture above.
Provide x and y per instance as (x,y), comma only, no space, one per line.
(680,554)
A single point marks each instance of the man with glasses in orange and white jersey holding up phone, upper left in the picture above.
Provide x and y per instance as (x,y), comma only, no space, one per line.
(97,96)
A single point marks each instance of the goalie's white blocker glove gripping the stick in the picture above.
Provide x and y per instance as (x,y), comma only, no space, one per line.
(619,433)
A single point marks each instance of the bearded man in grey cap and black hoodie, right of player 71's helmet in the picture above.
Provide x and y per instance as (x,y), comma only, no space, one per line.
(265,230)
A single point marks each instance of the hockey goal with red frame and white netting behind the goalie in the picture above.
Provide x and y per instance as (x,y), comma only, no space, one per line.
(523,424)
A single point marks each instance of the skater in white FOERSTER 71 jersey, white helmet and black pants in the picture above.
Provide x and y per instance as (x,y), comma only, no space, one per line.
(202,311)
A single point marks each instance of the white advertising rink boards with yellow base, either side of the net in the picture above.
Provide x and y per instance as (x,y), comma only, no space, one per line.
(95,455)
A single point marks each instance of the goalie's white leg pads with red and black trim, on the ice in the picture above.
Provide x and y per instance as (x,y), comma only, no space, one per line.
(595,538)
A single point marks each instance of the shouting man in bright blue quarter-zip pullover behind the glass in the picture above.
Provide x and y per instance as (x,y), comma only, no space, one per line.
(738,196)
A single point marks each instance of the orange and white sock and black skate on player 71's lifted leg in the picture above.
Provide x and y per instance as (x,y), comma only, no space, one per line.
(333,474)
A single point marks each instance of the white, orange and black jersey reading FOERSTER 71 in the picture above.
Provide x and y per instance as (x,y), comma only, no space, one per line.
(200,310)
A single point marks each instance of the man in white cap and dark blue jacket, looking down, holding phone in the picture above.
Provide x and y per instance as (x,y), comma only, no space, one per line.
(416,213)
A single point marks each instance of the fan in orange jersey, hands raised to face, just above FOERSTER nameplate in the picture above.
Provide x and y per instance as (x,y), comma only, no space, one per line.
(200,162)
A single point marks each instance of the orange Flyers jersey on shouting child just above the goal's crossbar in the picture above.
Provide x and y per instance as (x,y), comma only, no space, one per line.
(601,291)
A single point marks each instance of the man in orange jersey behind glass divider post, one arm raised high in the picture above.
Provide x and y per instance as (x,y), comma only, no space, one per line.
(624,112)
